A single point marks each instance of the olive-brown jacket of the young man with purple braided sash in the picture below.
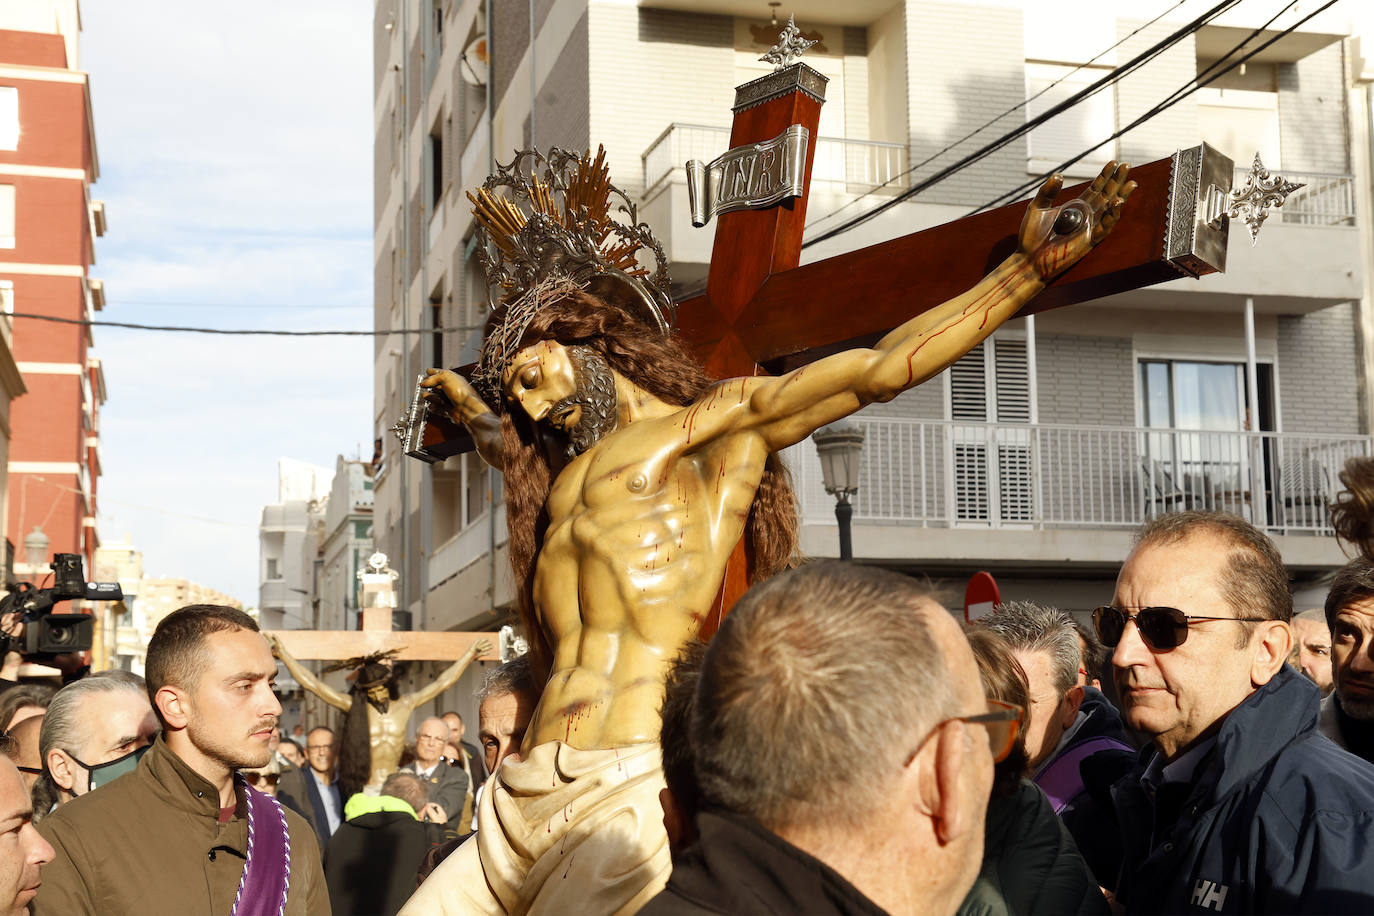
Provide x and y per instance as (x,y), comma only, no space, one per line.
(152,843)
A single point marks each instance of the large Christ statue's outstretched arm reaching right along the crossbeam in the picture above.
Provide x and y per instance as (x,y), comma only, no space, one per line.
(788,409)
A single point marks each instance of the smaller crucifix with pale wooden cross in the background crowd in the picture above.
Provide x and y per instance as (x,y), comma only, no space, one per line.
(377,712)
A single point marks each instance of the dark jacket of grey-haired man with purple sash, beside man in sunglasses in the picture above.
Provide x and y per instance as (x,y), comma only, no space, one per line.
(1090,818)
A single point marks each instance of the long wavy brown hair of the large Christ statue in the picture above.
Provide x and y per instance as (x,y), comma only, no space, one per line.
(660,366)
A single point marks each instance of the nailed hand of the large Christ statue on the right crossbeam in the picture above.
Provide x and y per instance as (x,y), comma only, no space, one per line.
(1053,240)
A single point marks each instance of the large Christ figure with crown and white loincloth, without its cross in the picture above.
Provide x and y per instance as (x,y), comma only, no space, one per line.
(631,476)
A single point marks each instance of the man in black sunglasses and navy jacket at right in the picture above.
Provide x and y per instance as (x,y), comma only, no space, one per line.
(1241,807)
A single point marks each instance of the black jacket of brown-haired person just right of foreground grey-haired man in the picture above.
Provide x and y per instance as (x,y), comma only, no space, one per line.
(1030,863)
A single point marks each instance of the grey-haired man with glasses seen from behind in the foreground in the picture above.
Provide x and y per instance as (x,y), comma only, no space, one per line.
(843,752)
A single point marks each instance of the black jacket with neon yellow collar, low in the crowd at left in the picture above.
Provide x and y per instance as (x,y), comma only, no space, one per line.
(373,859)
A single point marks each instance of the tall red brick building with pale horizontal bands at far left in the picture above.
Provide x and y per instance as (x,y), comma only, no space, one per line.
(49,225)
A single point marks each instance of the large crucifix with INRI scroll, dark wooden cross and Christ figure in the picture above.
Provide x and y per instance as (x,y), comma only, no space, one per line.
(640,442)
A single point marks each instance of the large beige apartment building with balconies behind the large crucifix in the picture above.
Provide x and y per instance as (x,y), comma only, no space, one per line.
(1038,454)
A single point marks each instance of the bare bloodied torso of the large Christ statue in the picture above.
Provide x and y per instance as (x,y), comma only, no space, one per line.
(641,529)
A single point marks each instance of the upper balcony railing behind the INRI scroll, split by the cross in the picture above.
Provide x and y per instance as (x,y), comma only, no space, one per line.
(861,165)
